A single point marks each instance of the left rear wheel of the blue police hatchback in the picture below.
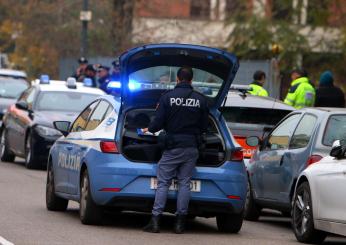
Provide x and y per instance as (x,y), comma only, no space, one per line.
(89,212)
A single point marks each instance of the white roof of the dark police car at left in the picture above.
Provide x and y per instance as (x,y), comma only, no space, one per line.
(61,86)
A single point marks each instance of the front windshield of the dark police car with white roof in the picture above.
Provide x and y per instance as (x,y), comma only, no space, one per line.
(64,101)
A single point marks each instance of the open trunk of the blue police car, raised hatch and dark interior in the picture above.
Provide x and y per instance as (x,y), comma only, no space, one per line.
(149,73)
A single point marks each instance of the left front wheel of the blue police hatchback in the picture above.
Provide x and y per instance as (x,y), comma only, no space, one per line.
(53,202)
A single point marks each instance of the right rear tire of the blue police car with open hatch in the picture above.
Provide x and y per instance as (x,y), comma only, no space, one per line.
(230,223)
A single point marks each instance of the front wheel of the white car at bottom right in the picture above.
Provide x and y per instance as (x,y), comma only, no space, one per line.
(302,217)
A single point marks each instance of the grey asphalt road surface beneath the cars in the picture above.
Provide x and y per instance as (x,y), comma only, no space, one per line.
(25,220)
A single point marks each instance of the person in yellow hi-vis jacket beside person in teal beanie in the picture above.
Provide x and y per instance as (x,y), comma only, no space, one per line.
(301,93)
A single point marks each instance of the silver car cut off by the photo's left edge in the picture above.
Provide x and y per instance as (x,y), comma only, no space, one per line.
(12,84)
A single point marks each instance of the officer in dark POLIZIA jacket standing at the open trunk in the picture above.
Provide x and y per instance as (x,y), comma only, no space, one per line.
(183,114)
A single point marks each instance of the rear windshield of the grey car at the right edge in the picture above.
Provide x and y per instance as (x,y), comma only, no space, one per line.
(335,130)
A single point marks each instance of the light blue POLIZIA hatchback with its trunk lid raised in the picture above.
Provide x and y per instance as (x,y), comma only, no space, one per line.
(102,162)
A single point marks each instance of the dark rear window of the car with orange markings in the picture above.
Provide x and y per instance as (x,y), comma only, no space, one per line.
(255,116)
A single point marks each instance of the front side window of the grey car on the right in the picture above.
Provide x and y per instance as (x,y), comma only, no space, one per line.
(279,139)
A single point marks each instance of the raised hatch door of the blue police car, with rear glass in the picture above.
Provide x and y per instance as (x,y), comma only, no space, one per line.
(149,71)
